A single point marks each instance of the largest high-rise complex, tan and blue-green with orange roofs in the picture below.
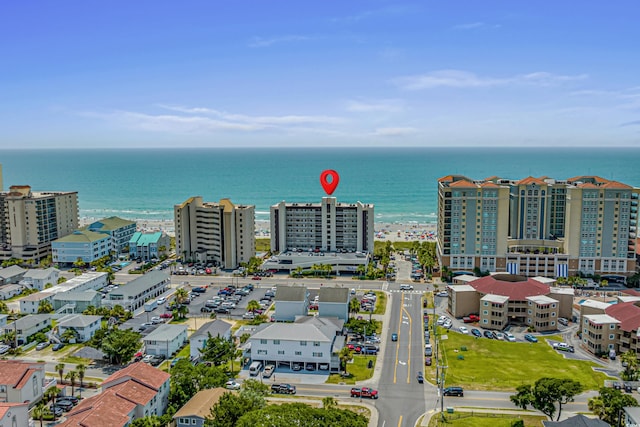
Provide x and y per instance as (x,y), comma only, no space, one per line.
(537,226)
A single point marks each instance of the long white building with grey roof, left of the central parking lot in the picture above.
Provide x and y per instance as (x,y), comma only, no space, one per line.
(134,294)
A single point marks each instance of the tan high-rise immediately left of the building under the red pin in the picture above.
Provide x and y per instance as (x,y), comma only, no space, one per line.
(221,233)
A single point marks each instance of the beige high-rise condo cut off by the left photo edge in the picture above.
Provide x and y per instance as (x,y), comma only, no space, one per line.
(30,221)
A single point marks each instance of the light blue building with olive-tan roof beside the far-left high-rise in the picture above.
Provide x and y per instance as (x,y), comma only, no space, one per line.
(81,244)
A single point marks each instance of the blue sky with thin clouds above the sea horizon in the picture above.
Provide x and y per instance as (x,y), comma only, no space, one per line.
(323,73)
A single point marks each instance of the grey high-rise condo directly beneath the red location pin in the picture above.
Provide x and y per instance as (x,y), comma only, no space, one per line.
(326,226)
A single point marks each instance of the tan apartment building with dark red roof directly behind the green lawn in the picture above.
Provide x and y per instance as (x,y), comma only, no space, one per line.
(503,299)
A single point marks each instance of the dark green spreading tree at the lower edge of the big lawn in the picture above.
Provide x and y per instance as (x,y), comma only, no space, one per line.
(545,394)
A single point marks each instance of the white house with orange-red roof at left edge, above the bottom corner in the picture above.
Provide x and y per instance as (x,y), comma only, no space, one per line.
(21,382)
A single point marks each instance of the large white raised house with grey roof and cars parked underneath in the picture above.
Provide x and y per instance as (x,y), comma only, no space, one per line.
(311,341)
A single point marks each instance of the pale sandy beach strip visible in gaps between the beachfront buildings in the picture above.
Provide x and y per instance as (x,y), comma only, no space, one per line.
(393,232)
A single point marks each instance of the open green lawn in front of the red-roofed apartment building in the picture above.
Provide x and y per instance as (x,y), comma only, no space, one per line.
(514,363)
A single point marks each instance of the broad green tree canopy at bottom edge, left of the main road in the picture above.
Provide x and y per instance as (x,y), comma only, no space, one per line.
(301,414)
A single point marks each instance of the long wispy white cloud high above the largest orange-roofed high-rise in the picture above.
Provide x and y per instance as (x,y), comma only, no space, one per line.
(465,79)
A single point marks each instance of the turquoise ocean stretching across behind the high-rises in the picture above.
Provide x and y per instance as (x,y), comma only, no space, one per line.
(400,182)
